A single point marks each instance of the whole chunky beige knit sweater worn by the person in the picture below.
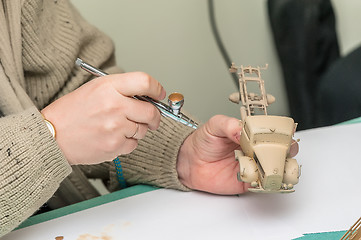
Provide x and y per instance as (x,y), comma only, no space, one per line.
(39,43)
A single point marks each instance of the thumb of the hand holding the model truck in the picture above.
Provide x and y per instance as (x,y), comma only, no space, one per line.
(225,127)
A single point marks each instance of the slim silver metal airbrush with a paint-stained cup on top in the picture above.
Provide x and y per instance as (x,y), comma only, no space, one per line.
(175,100)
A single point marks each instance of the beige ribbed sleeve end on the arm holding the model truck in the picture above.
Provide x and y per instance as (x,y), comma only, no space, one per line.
(154,160)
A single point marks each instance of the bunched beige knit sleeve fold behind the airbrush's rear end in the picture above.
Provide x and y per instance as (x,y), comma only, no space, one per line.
(54,35)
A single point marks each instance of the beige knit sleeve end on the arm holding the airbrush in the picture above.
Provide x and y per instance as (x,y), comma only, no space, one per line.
(31,168)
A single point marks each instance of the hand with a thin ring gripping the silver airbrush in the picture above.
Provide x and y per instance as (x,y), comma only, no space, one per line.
(100,120)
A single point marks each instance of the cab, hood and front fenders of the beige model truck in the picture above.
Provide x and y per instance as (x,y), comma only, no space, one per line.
(266,142)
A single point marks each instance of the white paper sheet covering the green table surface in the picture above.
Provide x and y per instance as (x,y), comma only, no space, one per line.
(327,198)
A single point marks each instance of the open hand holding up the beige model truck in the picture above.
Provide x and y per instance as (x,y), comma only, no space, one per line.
(206,160)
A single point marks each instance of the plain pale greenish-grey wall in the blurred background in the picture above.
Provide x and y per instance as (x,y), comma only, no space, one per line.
(172,41)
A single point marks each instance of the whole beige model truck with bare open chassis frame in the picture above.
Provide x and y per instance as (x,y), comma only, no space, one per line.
(265,140)
